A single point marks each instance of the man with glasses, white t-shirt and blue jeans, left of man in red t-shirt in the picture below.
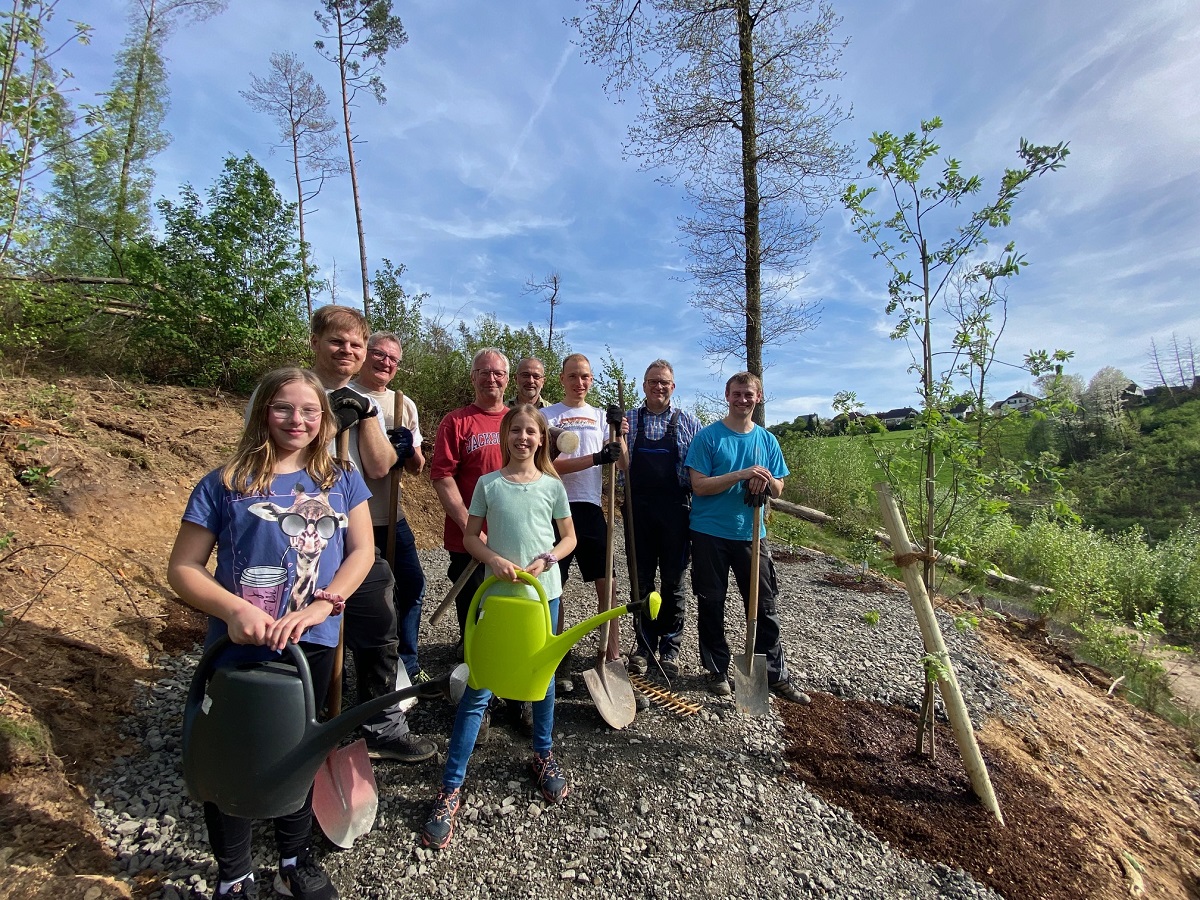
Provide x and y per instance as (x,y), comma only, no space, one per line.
(385,353)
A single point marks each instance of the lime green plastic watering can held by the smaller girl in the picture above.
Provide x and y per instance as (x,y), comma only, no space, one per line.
(511,646)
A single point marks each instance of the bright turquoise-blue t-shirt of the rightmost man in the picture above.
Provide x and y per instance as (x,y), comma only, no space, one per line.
(718,451)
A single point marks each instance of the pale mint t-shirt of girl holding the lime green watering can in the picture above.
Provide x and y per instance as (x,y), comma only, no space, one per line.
(521,520)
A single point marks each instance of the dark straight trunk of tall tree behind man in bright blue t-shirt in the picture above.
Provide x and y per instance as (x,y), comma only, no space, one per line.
(751,201)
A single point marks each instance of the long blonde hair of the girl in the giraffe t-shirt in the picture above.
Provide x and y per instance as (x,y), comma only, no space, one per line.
(253,467)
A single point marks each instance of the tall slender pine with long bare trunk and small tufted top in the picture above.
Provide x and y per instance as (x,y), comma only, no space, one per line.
(362,33)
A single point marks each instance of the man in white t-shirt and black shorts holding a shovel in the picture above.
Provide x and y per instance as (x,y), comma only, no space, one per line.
(584,478)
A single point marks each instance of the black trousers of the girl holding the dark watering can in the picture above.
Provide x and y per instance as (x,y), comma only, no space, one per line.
(231,836)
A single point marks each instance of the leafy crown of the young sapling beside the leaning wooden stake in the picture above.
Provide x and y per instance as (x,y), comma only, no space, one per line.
(929,245)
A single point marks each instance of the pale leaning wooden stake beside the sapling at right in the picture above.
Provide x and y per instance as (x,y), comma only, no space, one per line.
(932,638)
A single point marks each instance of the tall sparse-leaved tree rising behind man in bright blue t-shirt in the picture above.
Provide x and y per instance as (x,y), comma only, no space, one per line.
(735,99)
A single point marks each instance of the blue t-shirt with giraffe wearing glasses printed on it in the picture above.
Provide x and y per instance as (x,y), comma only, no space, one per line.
(277,551)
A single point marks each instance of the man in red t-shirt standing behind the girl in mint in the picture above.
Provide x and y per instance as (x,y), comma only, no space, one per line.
(467,448)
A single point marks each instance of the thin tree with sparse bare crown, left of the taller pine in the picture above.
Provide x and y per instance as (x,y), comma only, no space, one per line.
(301,109)
